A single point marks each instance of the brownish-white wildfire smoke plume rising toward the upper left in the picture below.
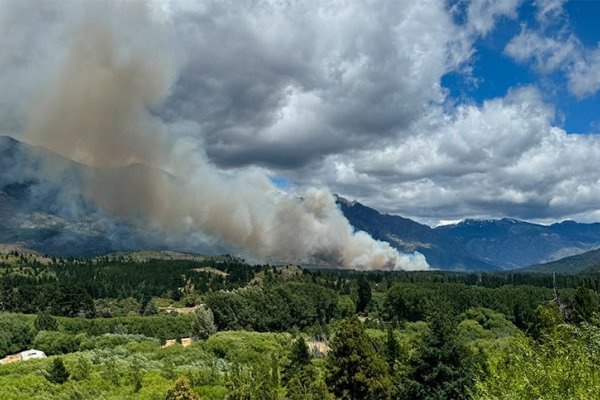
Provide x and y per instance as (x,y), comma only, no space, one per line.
(97,106)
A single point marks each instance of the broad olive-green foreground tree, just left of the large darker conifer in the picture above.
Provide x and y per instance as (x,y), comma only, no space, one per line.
(354,369)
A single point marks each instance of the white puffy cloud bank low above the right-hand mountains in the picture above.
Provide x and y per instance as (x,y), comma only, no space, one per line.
(501,158)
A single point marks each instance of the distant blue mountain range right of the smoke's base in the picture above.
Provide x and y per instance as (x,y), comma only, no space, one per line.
(477,244)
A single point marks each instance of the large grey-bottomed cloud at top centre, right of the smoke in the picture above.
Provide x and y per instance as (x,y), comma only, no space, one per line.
(284,84)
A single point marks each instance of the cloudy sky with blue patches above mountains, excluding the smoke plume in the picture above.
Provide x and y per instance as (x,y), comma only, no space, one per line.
(433,110)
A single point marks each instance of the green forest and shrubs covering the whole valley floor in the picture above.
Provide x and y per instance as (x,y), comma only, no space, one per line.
(119,328)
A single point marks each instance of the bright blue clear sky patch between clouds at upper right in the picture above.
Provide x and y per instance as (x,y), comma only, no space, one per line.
(494,72)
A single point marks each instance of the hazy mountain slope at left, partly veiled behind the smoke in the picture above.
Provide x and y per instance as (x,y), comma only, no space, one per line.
(51,216)
